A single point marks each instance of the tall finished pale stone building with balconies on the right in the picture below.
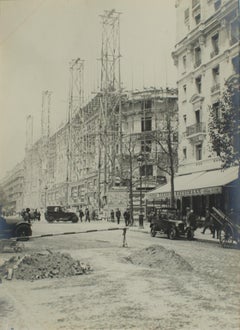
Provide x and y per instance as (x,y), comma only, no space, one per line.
(207,56)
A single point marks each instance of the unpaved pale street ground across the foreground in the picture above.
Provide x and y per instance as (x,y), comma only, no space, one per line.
(175,285)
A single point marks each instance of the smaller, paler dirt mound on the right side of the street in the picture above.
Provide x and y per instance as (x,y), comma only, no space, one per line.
(156,256)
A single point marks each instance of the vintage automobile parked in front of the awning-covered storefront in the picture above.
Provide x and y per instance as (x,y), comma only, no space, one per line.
(167,221)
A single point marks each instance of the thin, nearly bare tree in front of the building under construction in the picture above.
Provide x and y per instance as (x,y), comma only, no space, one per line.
(166,138)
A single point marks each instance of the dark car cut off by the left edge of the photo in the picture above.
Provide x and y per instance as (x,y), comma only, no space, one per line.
(14,227)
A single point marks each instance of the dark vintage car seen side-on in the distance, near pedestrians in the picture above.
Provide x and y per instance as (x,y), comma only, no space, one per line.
(57,213)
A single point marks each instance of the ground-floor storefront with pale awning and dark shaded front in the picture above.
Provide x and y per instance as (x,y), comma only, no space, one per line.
(201,190)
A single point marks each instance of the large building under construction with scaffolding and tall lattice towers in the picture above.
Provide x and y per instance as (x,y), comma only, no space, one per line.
(93,159)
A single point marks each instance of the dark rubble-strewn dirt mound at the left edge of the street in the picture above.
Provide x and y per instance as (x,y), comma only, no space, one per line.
(39,266)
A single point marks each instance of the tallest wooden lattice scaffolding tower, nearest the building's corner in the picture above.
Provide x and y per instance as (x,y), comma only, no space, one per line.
(110,126)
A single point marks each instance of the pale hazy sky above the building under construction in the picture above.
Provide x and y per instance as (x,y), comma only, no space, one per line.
(39,38)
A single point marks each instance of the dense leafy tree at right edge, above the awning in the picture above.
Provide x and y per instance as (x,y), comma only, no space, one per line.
(224,126)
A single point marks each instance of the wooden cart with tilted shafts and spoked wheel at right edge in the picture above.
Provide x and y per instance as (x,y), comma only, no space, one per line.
(229,229)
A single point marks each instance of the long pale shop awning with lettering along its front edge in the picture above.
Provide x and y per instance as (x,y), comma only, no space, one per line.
(200,183)
